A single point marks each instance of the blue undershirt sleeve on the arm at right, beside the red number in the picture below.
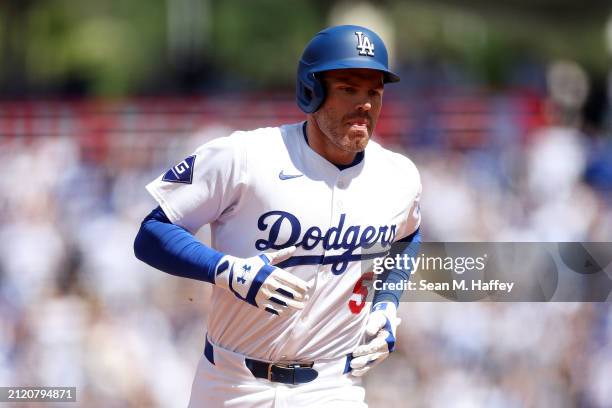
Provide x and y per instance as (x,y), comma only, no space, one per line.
(408,246)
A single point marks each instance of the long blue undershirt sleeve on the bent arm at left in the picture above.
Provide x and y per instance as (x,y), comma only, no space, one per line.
(174,250)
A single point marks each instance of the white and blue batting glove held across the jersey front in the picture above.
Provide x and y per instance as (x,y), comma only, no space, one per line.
(255,281)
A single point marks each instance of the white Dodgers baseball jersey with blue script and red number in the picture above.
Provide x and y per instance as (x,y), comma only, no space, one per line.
(266,189)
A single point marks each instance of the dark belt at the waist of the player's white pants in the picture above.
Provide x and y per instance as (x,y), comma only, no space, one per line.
(286,373)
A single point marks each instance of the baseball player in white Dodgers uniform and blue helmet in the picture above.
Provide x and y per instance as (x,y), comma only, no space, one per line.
(292,211)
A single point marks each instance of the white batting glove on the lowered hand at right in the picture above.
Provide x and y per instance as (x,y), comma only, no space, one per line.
(382,325)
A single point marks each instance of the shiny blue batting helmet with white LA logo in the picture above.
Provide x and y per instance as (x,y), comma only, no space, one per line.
(340,47)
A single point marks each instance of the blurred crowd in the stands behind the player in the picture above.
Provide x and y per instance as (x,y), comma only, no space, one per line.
(77,309)
